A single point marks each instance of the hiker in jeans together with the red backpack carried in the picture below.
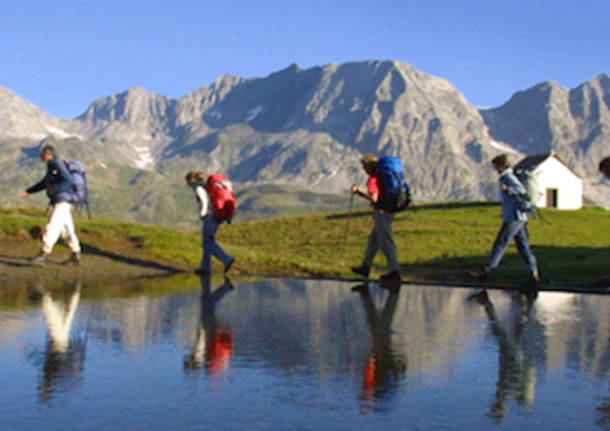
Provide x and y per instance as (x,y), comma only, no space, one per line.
(217,203)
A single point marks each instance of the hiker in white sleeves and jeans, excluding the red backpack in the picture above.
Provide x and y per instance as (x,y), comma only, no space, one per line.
(211,223)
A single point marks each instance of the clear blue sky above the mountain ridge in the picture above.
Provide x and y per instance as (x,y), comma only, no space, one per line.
(63,55)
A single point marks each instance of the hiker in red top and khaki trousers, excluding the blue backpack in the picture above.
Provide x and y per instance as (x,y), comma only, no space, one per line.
(380,237)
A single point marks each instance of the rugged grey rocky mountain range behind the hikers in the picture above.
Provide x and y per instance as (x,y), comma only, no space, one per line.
(296,134)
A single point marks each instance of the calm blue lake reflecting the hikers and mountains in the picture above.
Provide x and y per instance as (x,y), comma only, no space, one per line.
(185,354)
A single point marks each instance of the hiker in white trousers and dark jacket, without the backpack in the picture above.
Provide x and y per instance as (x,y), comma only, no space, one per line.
(58,185)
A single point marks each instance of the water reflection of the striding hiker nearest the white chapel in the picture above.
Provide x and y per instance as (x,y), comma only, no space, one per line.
(517,374)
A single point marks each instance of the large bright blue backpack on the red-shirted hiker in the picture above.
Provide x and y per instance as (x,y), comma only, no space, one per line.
(396,190)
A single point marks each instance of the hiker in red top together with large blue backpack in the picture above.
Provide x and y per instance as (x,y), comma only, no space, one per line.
(388,193)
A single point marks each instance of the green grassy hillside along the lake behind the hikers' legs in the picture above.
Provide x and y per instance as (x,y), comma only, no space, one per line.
(436,243)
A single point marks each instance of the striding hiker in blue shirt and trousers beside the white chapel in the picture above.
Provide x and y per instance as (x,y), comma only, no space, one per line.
(514,223)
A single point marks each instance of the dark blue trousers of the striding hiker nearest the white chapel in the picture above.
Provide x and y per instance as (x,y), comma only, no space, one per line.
(516,229)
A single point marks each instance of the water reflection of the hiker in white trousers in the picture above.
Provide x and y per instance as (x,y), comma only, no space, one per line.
(64,356)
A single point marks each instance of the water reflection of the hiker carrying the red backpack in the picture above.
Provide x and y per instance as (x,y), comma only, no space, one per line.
(213,345)
